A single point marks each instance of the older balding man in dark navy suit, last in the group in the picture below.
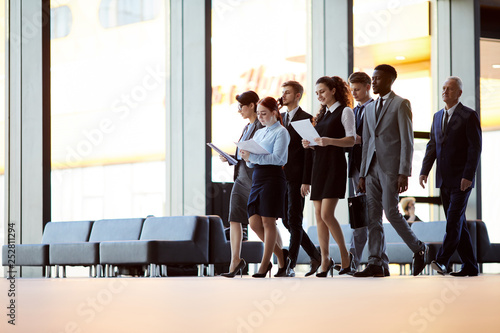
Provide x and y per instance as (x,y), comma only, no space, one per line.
(455,144)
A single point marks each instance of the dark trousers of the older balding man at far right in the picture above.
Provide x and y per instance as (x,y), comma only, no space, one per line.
(457,235)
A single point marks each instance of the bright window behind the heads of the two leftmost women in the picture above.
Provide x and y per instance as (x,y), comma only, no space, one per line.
(252,49)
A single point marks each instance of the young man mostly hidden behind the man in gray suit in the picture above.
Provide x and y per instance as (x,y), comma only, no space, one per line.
(360,84)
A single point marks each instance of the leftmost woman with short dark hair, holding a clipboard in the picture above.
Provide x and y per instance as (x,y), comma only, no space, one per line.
(247,108)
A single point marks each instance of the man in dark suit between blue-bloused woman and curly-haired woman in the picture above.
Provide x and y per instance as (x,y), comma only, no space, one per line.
(298,177)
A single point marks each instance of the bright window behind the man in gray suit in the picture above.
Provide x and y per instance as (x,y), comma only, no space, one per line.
(382,36)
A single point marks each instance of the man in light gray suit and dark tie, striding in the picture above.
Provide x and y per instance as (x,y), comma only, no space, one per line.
(385,168)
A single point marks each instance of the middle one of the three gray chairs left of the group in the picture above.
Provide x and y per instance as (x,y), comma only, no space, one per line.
(87,253)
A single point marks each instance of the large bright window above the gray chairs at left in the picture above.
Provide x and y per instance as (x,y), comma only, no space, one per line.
(108,115)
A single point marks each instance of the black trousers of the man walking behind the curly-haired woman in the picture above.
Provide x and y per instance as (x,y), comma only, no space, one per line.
(294,207)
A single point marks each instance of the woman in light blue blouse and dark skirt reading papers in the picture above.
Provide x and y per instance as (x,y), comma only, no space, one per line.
(267,195)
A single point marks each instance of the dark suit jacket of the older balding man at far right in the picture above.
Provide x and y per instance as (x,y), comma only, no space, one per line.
(457,152)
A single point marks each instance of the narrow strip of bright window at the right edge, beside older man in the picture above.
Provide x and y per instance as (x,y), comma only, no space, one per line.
(490,123)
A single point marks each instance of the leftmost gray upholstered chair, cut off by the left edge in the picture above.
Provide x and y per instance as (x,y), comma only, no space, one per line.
(54,233)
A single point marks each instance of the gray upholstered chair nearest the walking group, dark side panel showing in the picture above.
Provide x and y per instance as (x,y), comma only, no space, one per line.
(171,240)
